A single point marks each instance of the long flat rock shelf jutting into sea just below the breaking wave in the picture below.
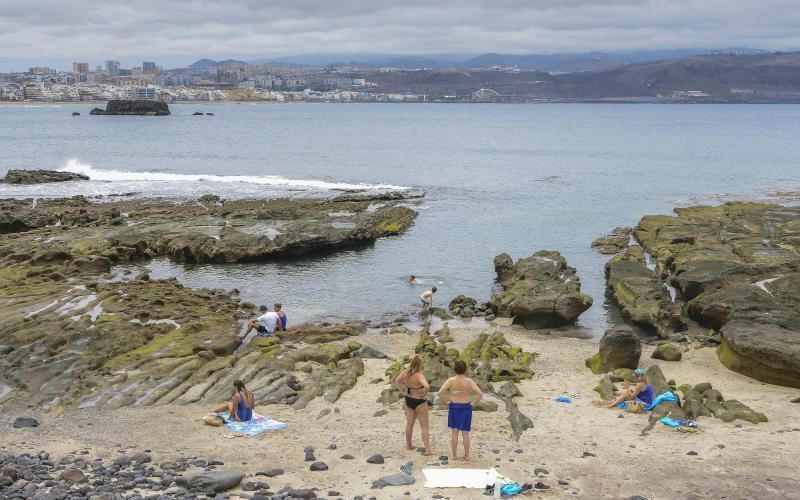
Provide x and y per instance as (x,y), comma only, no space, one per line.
(193,231)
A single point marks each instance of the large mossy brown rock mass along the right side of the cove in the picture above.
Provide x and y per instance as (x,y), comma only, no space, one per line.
(734,268)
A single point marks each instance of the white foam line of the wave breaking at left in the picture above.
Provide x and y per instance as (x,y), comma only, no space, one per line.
(96,174)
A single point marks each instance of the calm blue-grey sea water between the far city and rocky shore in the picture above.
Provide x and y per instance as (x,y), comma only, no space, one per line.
(498,178)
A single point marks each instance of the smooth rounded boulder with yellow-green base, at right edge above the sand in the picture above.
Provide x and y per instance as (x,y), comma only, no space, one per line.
(764,352)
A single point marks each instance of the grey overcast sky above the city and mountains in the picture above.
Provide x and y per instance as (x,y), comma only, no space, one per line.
(177,32)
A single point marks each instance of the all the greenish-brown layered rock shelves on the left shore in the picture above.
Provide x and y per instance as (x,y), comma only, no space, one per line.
(114,341)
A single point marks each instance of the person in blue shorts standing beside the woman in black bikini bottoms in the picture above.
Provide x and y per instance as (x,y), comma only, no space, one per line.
(459,411)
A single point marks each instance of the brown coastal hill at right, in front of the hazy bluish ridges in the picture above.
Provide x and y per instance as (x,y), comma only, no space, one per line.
(747,77)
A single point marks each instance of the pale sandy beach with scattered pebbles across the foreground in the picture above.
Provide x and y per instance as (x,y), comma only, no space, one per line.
(587,452)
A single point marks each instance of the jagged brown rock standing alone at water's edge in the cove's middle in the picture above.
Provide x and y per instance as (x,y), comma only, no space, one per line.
(540,291)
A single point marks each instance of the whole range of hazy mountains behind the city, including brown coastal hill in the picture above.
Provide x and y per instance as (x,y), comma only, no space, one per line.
(734,76)
